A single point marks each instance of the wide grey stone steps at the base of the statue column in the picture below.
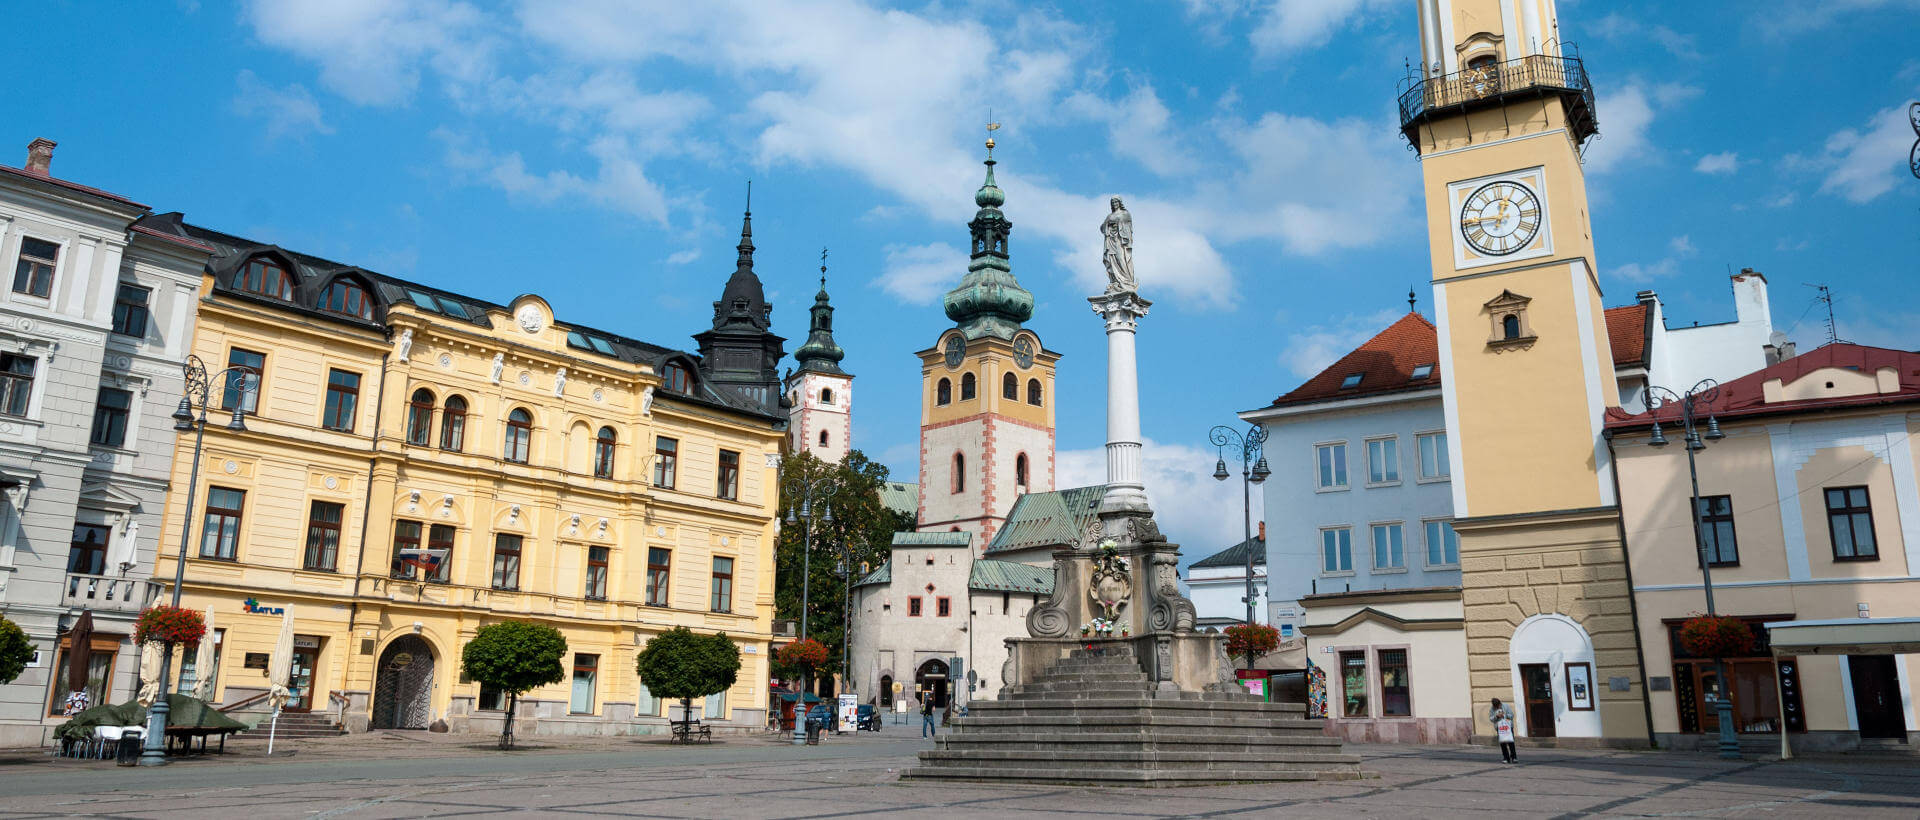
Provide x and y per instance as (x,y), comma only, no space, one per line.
(1095,719)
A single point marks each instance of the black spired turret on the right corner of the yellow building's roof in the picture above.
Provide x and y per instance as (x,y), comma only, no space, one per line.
(740,352)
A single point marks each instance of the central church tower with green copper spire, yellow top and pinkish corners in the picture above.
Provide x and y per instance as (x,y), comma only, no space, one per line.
(988,391)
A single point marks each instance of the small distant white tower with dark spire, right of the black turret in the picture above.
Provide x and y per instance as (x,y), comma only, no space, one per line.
(821,393)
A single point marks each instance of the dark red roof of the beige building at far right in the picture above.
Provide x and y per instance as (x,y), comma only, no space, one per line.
(1746,397)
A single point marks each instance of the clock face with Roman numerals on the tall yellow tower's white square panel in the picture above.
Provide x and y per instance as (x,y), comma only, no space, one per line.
(1500,218)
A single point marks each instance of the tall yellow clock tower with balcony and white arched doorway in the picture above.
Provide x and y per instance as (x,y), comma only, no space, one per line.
(1499,112)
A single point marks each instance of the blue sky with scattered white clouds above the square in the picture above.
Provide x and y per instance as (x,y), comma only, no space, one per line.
(596,153)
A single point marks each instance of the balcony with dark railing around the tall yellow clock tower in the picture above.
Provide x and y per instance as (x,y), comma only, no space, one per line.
(1497,85)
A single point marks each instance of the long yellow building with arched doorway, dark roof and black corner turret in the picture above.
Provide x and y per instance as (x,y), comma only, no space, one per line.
(564,475)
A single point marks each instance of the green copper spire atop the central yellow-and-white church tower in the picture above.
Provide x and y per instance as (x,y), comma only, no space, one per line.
(990,301)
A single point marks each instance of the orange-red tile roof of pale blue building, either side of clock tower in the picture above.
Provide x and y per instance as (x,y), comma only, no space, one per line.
(1385,364)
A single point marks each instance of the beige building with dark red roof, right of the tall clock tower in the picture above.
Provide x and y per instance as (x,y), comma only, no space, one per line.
(1810,512)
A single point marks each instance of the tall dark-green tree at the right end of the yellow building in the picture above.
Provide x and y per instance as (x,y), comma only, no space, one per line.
(859,537)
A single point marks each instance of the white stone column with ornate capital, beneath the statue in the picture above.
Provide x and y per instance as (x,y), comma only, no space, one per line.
(1124,491)
